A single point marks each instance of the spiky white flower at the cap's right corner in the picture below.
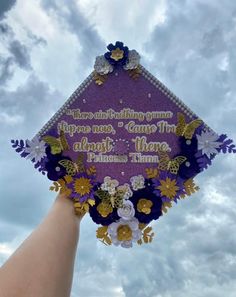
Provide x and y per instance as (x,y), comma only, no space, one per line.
(207,142)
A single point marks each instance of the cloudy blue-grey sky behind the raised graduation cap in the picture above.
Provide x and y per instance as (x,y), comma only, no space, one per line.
(47,48)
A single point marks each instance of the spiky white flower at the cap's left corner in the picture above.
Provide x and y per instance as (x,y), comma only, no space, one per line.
(35,149)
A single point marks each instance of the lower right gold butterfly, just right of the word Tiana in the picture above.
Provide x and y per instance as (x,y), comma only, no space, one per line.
(172,165)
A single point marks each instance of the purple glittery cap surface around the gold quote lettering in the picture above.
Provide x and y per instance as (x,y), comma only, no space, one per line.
(120,91)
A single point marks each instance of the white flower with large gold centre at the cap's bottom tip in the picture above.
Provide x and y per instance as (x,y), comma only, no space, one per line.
(124,232)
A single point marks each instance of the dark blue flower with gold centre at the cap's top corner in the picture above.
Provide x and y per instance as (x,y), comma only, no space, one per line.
(118,53)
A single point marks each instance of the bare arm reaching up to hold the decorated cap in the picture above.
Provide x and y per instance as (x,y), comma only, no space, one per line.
(43,265)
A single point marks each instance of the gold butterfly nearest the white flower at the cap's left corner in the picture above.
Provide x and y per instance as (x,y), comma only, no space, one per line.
(57,145)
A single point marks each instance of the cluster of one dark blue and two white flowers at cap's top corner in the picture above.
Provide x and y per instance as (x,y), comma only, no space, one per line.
(117,55)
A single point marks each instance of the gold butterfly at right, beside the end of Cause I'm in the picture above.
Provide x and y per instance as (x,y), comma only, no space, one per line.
(184,129)
